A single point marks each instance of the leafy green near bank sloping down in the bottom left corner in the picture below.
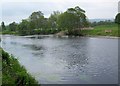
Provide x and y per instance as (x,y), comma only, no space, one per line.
(13,73)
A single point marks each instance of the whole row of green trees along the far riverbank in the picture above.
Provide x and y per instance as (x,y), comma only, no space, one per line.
(36,23)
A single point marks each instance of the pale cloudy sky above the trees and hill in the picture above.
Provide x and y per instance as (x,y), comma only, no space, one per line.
(16,10)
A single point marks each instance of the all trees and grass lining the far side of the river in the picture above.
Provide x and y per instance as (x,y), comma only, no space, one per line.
(71,21)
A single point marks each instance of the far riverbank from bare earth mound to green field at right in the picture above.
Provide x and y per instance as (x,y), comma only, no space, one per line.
(100,31)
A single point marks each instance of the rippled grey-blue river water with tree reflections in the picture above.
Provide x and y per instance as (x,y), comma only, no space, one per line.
(66,60)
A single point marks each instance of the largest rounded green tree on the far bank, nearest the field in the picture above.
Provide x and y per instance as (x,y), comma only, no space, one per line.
(73,18)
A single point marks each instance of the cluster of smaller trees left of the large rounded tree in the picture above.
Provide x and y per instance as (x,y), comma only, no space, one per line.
(36,23)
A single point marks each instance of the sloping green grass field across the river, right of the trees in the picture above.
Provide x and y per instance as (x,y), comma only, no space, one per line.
(100,31)
